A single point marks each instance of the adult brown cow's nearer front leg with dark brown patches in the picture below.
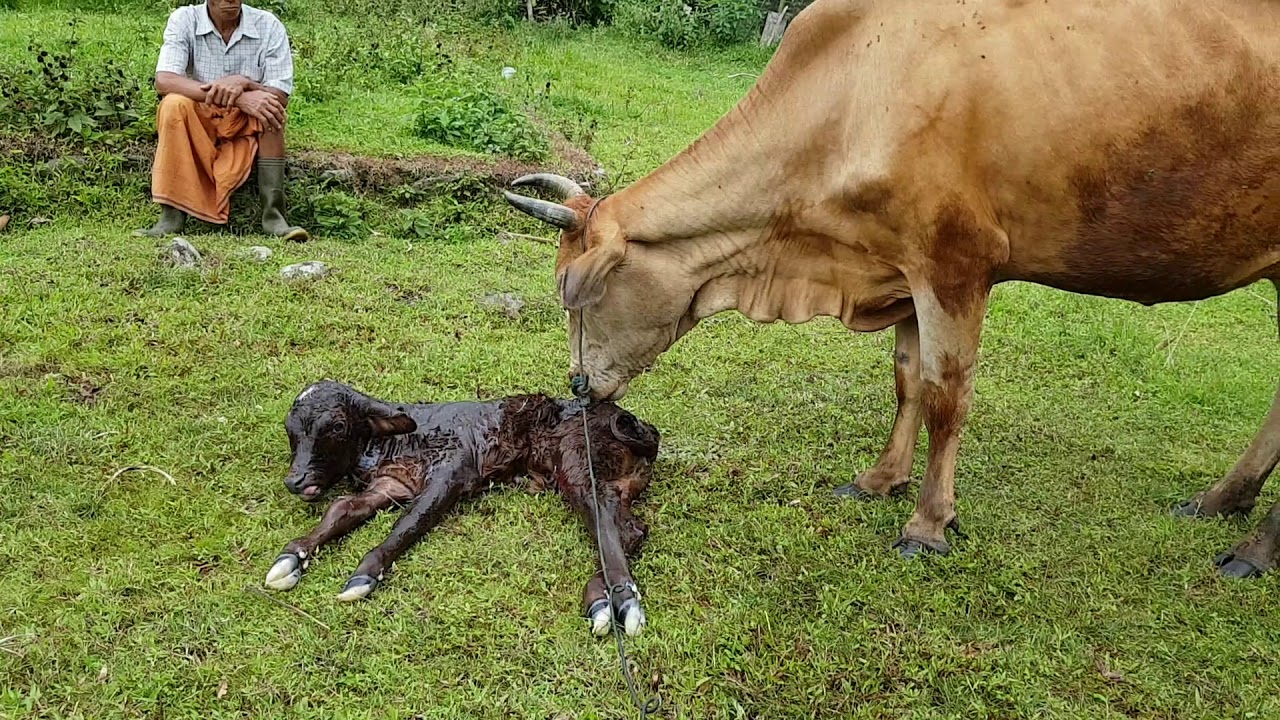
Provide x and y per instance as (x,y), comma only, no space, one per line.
(950,332)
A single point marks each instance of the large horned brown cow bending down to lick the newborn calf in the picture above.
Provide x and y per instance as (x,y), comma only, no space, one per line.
(897,161)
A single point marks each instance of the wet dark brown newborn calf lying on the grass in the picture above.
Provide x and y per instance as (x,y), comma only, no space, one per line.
(433,455)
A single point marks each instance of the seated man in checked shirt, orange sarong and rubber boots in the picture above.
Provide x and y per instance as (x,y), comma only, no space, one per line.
(225,78)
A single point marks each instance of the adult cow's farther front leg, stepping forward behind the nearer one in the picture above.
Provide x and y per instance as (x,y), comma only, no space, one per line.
(894,468)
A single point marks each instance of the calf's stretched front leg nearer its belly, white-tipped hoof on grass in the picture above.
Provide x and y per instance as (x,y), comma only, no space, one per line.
(442,493)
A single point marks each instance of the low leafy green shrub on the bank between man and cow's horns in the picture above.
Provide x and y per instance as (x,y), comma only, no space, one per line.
(472,117)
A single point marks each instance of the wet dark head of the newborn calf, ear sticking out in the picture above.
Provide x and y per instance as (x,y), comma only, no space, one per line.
(330,426)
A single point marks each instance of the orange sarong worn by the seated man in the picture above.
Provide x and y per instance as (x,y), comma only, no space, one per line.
(205,153)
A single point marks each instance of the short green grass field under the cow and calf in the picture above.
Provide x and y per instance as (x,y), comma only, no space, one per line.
(1075,595)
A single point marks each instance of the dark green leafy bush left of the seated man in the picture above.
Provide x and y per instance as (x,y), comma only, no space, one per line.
(58,93)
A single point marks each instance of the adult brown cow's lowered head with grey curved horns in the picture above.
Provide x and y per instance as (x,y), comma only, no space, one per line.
(628,303)
